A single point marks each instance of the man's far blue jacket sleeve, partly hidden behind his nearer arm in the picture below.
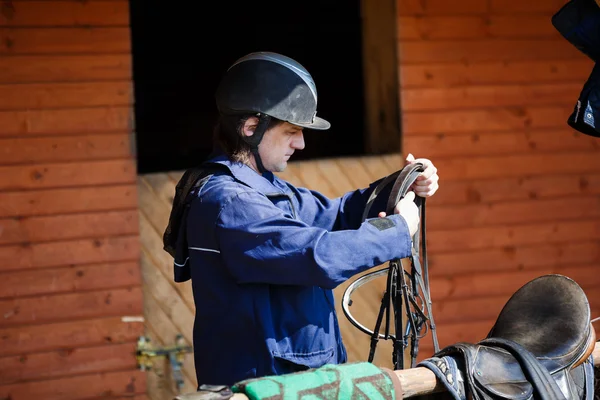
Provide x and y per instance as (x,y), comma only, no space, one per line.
(344,212)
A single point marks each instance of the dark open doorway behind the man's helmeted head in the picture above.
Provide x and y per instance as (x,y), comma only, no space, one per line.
(181,49)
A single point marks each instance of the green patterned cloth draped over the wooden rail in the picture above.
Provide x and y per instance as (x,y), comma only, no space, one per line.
(360,381)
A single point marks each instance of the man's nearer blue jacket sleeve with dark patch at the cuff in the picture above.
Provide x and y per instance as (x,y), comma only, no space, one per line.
(262,244)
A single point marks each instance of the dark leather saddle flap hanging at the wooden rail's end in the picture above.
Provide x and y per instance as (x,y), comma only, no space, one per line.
(498,373)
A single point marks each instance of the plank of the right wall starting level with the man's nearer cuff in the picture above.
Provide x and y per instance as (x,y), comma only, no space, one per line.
(511,236)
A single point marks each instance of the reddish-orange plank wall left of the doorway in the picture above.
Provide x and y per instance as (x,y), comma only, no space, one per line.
(69,271)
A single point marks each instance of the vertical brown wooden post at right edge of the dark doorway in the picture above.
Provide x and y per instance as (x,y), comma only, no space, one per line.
(380,75)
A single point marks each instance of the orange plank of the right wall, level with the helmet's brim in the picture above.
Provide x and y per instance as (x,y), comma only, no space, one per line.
(490,119)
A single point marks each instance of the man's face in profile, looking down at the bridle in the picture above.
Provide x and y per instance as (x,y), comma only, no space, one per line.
(278,145)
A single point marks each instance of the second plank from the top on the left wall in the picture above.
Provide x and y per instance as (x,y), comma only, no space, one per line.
(64,40)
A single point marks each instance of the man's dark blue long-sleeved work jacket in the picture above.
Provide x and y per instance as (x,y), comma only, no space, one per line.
(264,257)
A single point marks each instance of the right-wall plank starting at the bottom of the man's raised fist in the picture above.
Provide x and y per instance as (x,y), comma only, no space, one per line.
(517,188)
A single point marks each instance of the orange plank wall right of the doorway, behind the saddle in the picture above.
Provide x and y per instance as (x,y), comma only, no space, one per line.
(487,86)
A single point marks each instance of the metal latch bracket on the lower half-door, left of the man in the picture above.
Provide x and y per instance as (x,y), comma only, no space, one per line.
(176,354)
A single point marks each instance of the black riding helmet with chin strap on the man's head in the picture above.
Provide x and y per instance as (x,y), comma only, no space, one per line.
(269,85)
